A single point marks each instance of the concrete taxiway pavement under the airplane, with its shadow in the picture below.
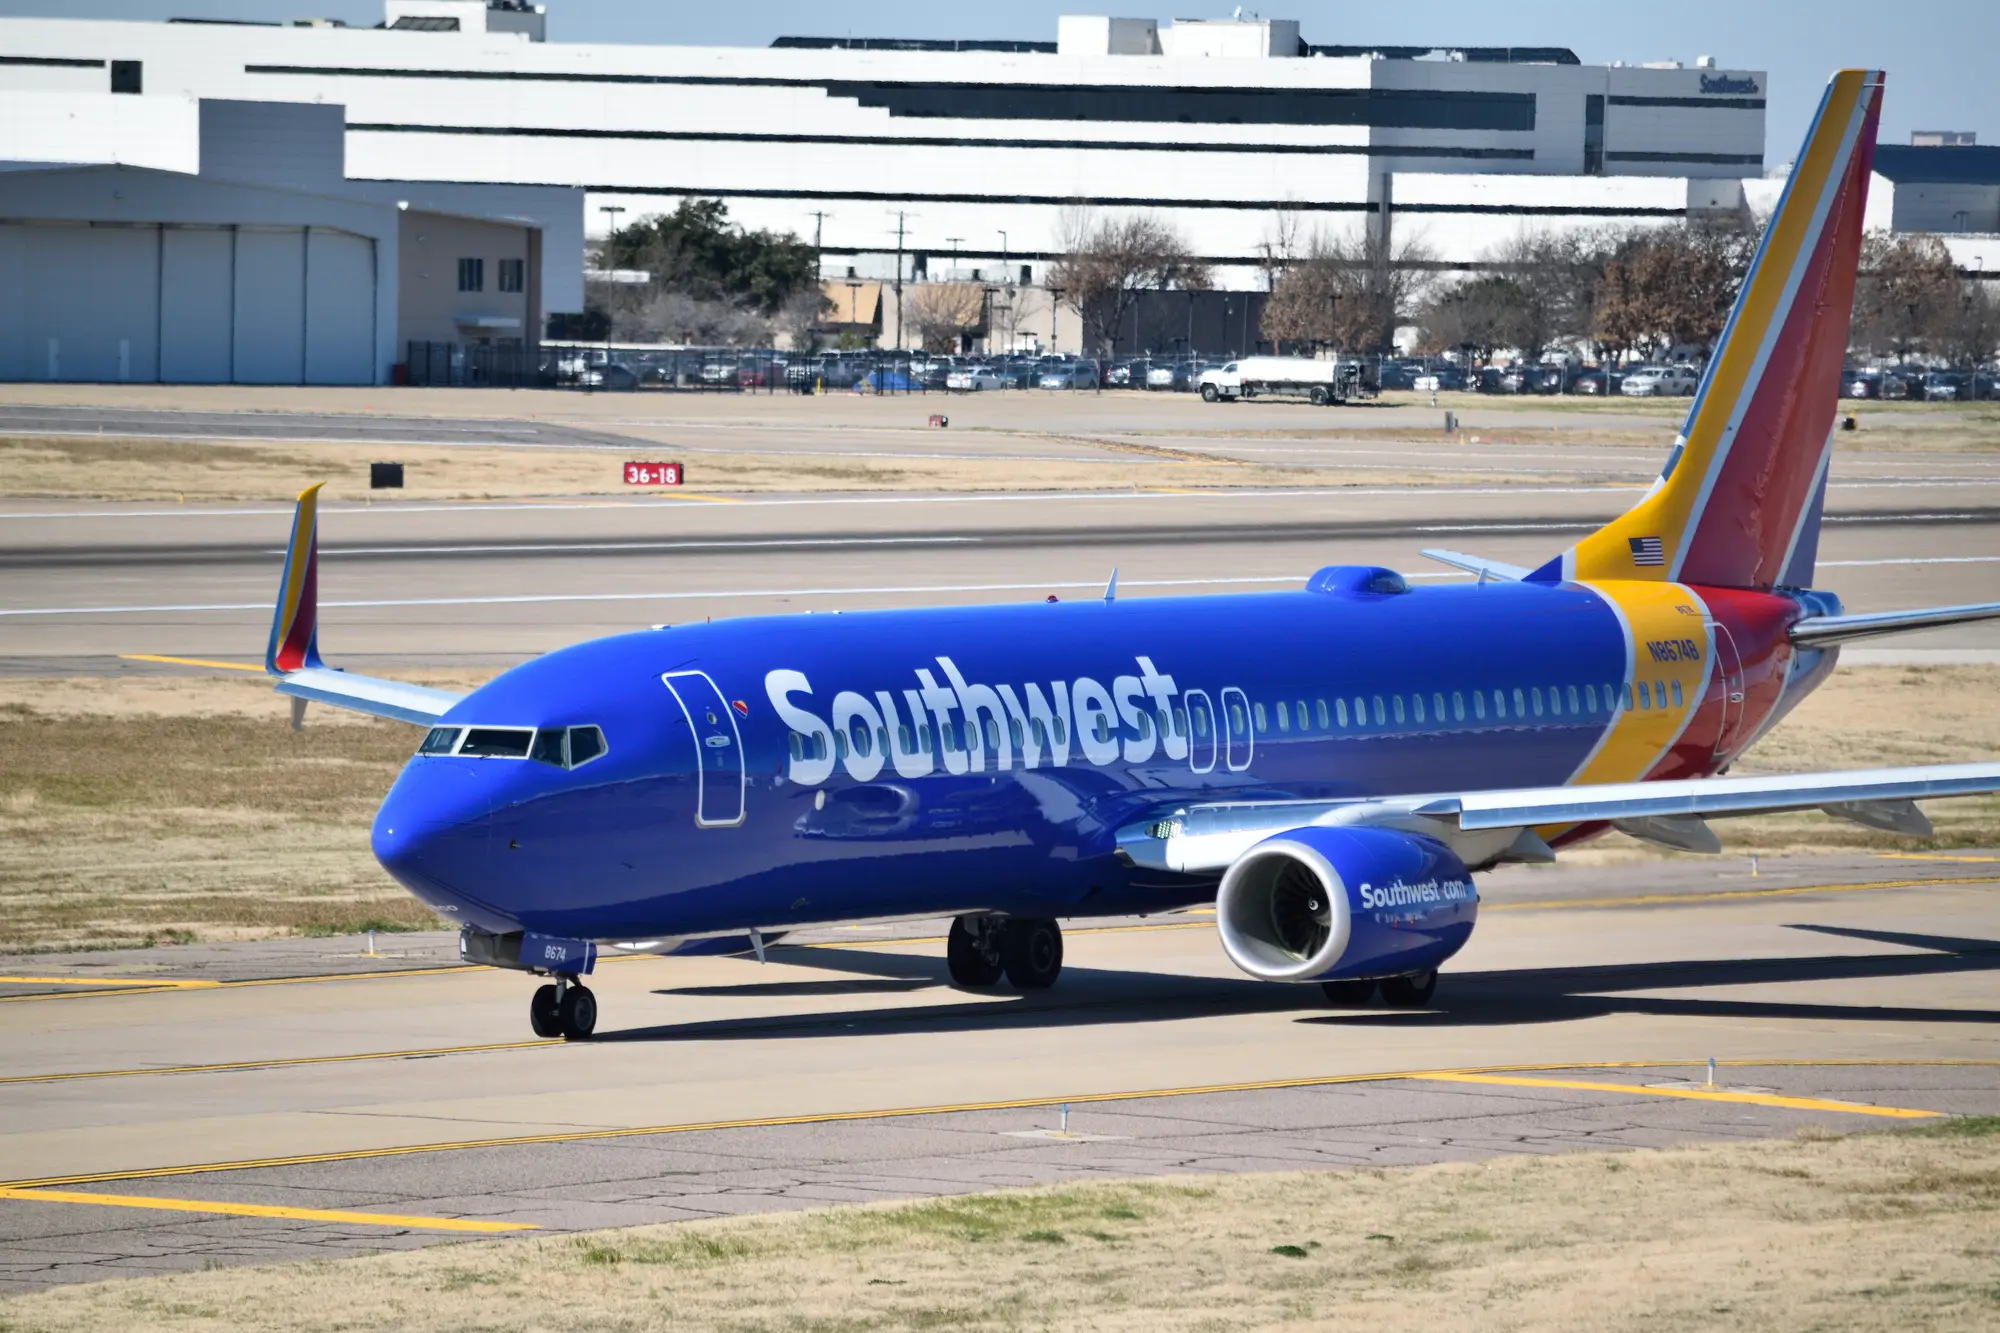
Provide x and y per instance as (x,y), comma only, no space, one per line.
(183,1122)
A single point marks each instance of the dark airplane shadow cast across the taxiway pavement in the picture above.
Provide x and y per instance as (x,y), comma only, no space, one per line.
(1465,1000)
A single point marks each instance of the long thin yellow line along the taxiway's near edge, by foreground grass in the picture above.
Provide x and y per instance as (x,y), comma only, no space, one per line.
(1021,1104)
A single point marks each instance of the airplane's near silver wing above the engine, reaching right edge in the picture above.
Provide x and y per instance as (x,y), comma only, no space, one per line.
(1487,828)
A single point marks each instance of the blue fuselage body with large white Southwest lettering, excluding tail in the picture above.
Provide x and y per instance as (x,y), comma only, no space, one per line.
(785,770)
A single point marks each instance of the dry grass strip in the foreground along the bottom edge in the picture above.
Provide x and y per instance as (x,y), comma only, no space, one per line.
(1831,1234)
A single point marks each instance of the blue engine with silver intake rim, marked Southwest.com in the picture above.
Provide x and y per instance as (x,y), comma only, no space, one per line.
(1327,904)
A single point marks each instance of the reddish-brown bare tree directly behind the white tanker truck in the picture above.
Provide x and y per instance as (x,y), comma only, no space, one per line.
(1347,293)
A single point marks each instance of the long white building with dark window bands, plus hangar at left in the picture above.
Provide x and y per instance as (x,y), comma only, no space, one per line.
(901,159)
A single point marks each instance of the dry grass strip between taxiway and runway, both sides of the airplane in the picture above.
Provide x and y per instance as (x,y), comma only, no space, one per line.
(163,810)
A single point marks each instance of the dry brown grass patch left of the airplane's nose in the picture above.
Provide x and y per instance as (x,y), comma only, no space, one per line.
(161,810)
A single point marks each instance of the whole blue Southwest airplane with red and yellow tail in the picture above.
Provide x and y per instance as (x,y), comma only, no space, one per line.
(1327,766)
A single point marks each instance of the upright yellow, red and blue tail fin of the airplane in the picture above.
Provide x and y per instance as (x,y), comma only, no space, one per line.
(1739,501)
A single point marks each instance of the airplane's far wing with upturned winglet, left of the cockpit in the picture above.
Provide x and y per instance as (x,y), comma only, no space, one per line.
(293,653)
